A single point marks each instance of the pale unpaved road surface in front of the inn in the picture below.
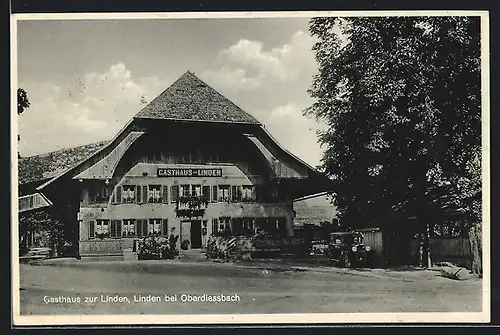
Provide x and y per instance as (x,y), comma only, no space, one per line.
(261,289)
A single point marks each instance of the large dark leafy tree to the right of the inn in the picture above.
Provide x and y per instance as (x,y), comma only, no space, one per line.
(401,97)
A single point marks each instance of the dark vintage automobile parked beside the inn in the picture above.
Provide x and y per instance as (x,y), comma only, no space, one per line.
(346,249)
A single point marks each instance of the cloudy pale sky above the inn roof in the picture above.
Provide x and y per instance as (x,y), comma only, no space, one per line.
(85,78)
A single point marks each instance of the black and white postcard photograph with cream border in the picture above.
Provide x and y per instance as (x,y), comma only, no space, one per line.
(261,167)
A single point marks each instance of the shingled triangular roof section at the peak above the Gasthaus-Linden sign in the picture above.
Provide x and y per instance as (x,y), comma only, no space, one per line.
(189,98)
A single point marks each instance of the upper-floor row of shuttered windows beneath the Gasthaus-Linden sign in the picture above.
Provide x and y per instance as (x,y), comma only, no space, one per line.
(171,194)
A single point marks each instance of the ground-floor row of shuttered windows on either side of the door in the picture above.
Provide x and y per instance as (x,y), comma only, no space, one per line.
(159,227)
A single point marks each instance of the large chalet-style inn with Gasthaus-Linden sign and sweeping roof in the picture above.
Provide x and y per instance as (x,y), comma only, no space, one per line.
(190,145)
